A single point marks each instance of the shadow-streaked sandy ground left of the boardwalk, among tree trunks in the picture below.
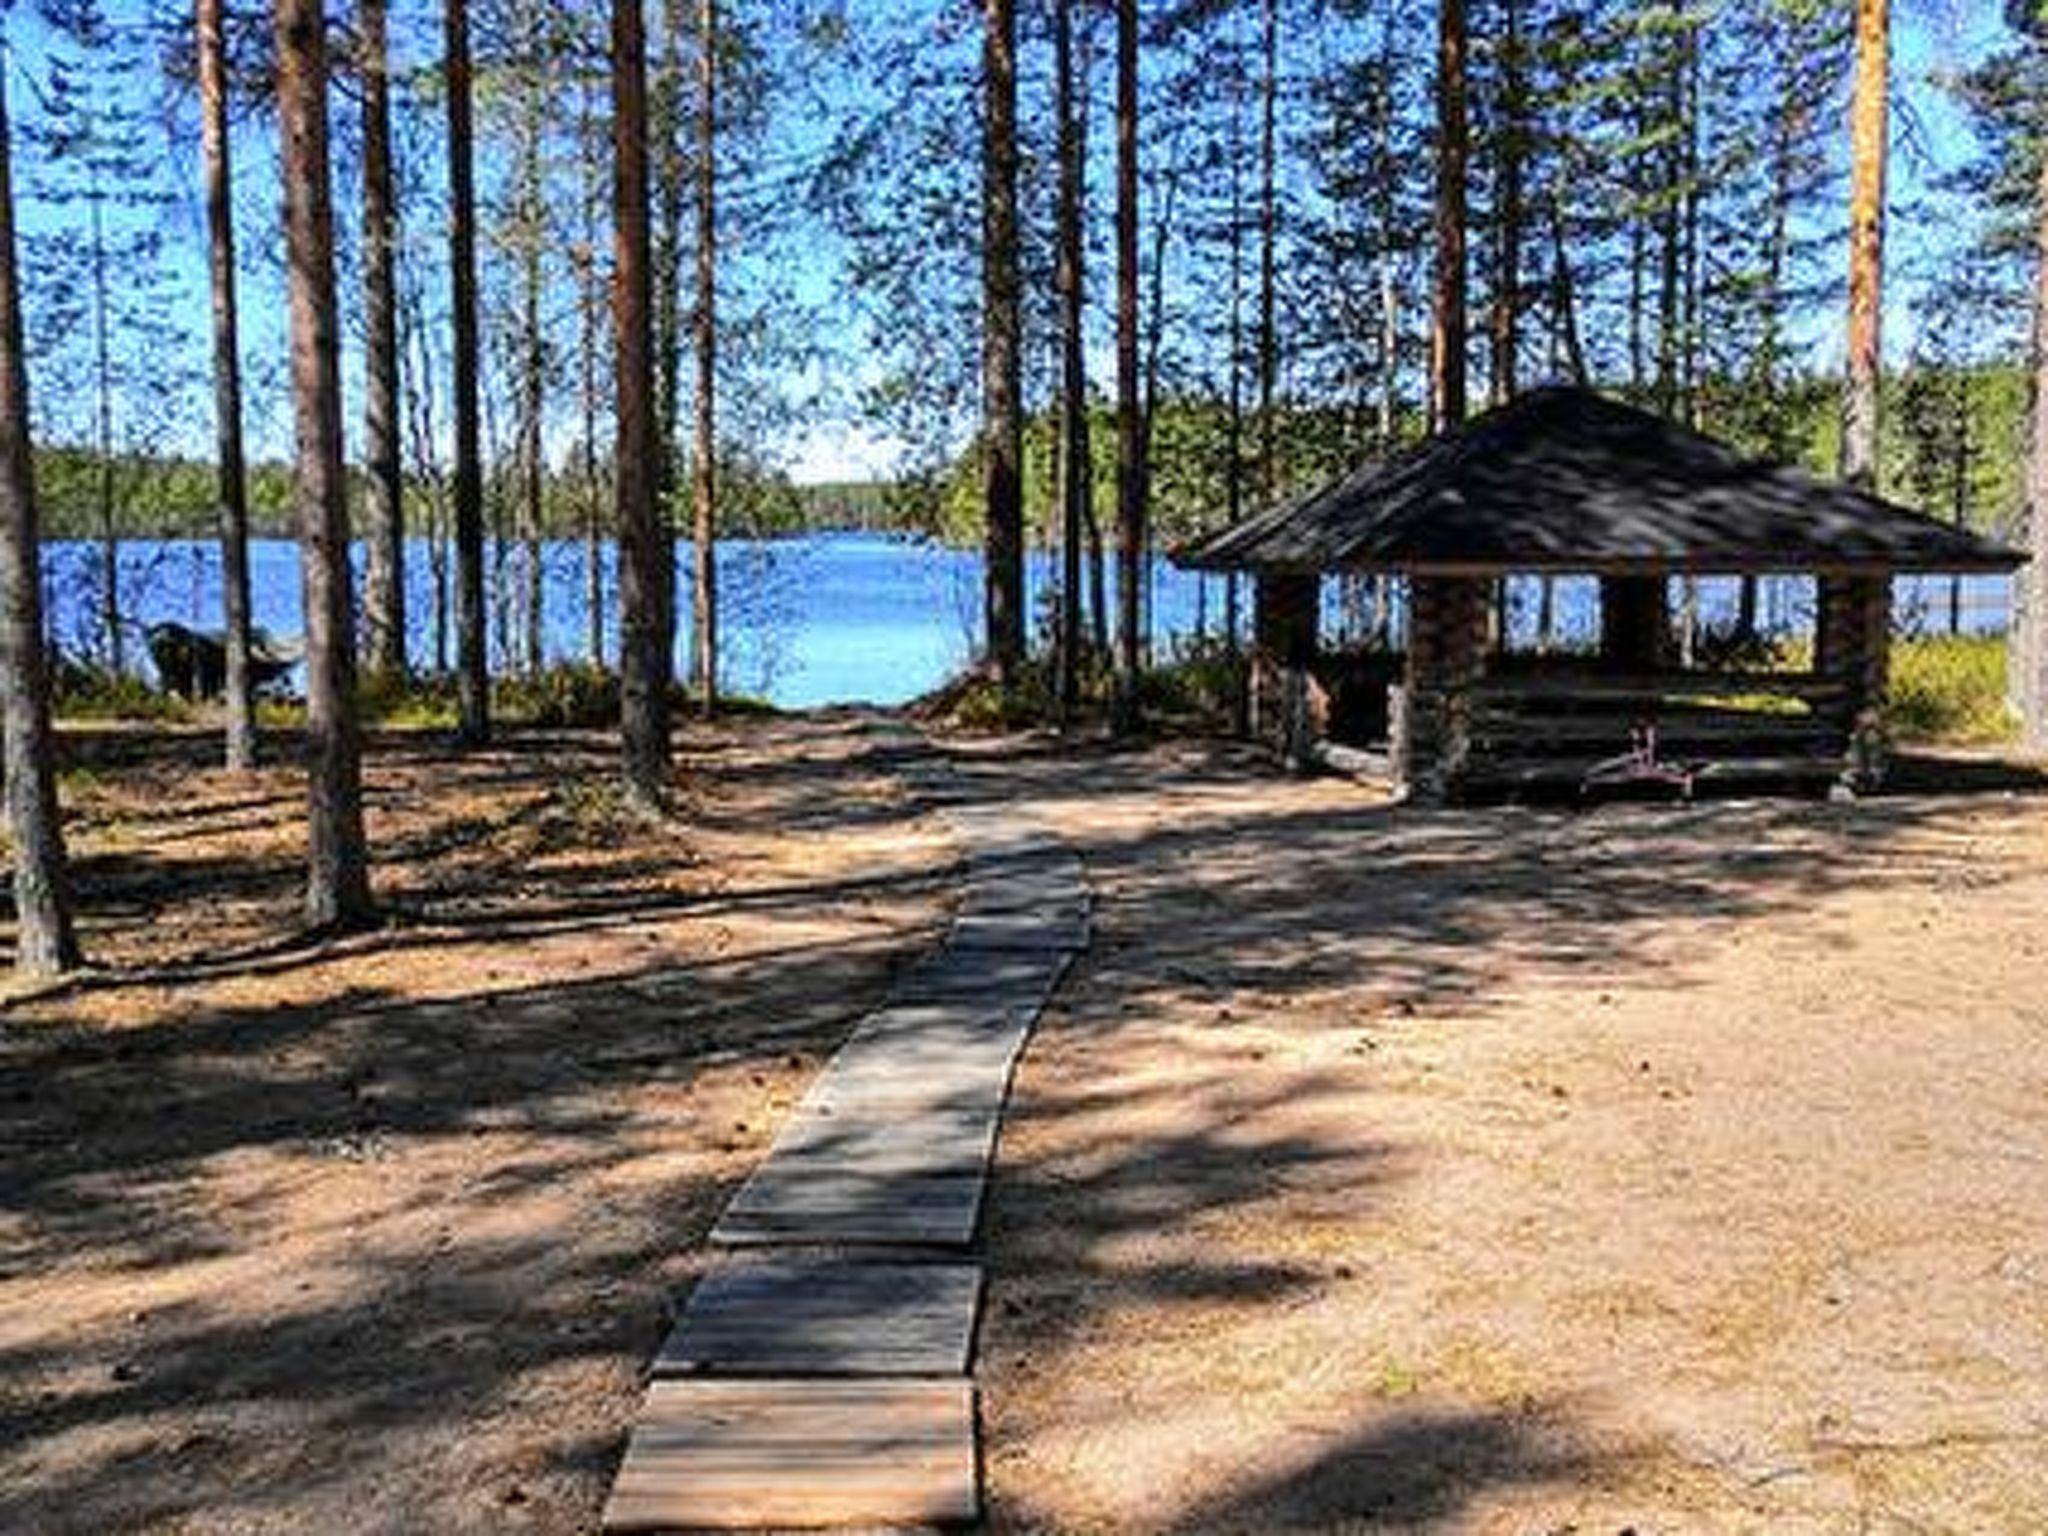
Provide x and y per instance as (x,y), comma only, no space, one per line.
(378,1236)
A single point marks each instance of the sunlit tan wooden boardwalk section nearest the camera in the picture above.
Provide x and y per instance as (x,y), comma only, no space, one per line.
(732,1455)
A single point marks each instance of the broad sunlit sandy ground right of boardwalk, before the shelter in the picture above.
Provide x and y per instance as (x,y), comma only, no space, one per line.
(1654,1168)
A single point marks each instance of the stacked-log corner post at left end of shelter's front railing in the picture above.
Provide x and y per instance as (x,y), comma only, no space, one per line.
(1447,656)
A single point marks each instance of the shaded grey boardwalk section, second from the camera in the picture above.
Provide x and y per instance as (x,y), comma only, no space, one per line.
(826,1318)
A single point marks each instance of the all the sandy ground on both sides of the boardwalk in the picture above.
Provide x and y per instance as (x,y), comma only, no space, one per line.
(1652,1168)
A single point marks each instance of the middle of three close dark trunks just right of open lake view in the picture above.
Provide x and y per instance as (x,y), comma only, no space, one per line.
(1076,462)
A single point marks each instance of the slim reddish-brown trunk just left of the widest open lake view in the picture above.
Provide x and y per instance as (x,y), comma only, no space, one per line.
(706,480)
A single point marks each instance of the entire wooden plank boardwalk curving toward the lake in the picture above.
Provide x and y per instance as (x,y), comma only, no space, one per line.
(820,1373)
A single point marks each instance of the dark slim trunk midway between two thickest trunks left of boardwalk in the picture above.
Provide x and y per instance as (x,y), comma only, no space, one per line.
(472,650)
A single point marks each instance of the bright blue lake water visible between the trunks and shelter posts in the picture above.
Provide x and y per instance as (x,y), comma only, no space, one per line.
(828,617)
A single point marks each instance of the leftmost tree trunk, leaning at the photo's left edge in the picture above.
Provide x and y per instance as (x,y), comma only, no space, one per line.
(44,939)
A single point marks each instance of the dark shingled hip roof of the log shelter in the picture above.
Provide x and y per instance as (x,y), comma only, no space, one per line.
(1570,480)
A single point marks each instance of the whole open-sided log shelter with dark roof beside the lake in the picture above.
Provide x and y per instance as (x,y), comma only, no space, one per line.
(1570,482)
